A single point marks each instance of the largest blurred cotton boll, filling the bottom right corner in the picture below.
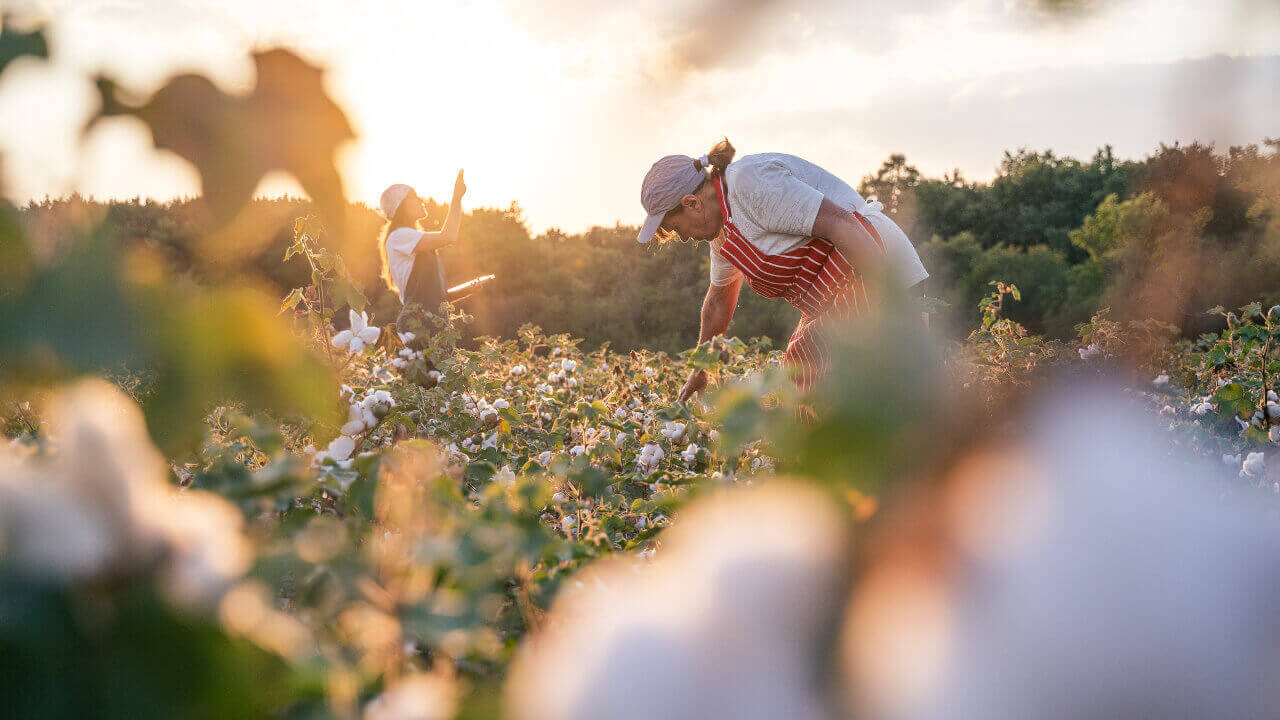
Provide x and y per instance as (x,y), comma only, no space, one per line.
(1084,569)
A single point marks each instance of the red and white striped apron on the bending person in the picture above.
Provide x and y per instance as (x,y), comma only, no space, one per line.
(815,279)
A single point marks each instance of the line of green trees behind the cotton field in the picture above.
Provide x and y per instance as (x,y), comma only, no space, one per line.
(1168,236)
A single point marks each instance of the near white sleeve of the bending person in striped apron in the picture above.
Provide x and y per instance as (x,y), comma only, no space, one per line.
(776,200)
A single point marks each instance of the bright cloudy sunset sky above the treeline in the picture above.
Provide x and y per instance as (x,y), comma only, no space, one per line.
(563,106)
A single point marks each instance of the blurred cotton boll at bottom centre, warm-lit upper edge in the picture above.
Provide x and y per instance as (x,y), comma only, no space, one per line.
(730,621)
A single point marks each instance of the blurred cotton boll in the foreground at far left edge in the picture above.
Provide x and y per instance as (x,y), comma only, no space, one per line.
(102,503)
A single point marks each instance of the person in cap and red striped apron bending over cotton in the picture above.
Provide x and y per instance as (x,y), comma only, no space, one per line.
(792,230)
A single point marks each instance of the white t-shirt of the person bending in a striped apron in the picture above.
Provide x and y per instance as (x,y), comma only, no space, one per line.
(775,200)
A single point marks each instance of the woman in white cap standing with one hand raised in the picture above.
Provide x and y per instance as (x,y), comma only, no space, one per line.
(412,265)
